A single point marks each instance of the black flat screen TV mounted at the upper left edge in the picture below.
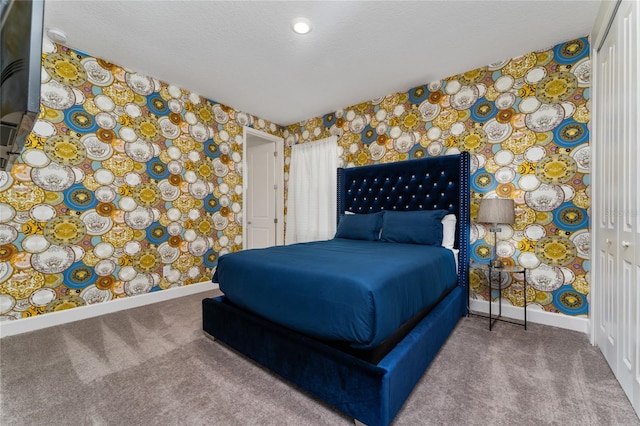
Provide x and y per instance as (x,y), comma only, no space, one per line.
(20,61)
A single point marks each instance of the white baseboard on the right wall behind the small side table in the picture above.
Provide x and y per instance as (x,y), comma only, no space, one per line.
(533,315)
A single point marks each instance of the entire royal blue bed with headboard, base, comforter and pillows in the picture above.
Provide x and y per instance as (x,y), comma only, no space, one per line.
(368,364)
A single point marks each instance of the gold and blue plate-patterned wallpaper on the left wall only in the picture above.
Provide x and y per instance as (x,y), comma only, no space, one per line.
(126,186)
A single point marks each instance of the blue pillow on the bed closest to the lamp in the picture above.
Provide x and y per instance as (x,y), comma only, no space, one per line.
(413,227)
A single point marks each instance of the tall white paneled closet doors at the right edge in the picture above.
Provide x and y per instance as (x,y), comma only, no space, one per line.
(618,227)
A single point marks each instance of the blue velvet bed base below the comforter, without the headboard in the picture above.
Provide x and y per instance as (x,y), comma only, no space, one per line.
(371,394)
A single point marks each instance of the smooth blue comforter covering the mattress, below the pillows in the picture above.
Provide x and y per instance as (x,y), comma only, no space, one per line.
(347,290)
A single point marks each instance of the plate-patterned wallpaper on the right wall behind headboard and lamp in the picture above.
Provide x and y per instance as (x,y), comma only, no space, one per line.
(525,122)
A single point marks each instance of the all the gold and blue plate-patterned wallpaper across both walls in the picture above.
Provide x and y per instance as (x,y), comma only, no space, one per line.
(130,185)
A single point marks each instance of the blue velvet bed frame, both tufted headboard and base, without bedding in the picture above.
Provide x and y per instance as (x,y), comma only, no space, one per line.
(370,393)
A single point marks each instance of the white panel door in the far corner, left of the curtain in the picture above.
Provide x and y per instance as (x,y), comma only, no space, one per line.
(261,194)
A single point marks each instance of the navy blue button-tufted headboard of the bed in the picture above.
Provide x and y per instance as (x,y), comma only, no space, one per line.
(425,184)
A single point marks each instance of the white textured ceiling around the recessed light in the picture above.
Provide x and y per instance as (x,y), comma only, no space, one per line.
(244,54)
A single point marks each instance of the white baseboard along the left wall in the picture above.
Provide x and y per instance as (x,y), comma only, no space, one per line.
(10,328)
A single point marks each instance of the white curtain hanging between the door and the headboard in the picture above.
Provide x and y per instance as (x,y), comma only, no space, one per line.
(311,203)
